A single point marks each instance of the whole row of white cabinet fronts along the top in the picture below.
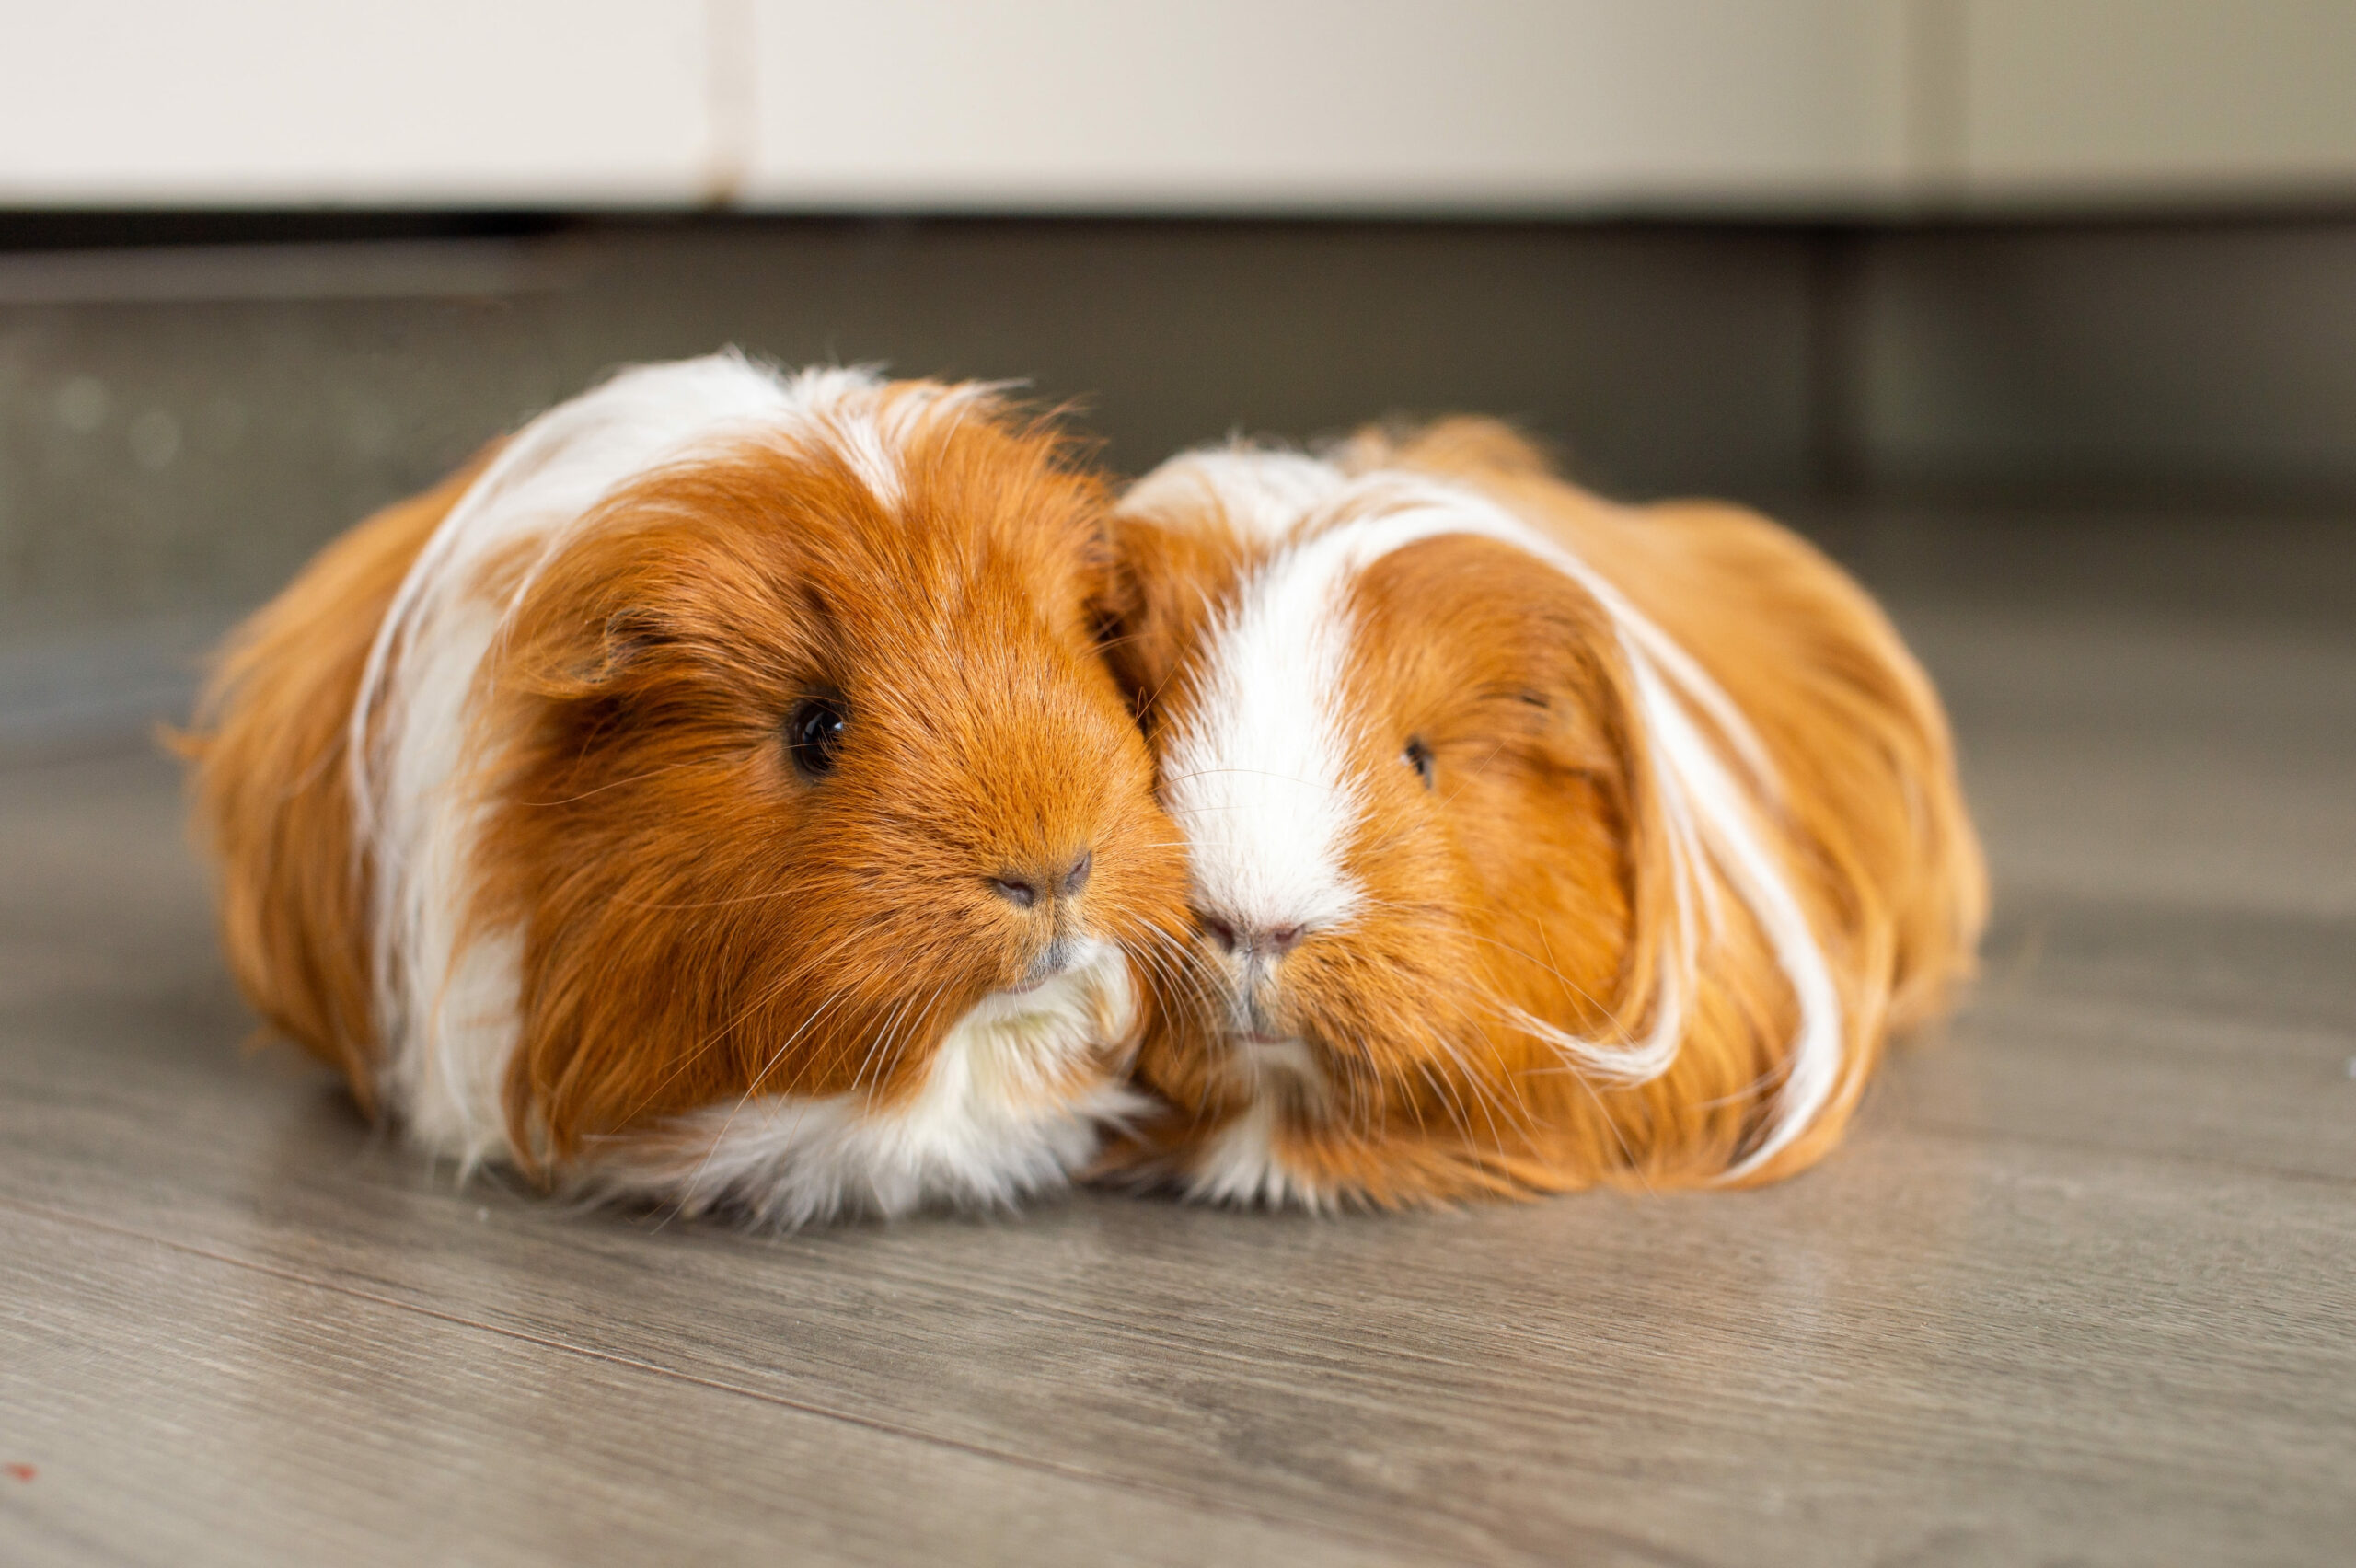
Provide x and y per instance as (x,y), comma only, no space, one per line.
(1410,107)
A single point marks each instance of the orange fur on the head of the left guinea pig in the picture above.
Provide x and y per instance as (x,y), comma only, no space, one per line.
(701,924)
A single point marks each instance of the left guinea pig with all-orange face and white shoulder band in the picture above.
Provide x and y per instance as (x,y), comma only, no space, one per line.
(713,795)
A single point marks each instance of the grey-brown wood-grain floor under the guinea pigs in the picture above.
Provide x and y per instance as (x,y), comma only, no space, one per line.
(2079,1291)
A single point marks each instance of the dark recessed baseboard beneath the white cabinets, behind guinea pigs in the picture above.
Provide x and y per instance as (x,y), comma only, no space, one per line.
(190,404)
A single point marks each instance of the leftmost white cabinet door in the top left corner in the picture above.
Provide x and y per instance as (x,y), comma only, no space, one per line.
(291,102)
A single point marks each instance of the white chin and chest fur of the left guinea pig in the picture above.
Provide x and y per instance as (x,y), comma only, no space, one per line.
(986,1129)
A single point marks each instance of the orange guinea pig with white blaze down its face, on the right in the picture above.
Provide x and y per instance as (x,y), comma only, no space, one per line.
(1537,842)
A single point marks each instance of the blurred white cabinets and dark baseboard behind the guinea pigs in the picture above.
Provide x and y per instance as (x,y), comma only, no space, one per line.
(1978,291)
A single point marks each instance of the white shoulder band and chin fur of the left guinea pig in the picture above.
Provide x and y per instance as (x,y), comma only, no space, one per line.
(449,1011)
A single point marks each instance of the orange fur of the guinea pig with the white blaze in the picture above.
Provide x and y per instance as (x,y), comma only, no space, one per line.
(1535,872)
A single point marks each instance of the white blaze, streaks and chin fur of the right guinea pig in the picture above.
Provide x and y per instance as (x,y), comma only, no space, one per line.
(1269,736)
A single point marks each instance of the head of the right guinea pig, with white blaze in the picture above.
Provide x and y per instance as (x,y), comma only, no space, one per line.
(1427,863)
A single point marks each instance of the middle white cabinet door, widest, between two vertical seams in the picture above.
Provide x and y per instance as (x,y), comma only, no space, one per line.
(1328,105)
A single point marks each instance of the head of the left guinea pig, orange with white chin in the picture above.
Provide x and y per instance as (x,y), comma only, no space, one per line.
(814,828)
